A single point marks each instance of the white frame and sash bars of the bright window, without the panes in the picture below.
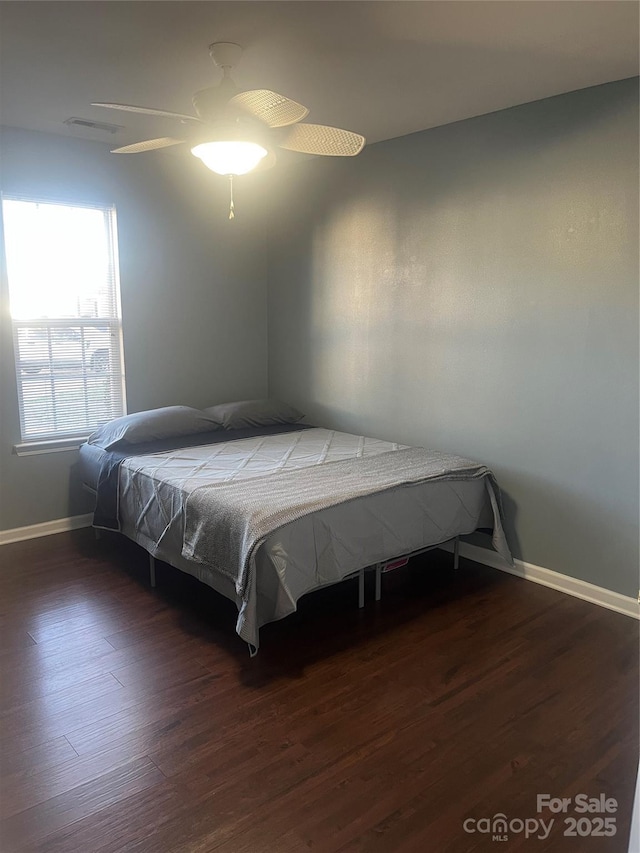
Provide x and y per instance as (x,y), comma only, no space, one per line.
(55,441)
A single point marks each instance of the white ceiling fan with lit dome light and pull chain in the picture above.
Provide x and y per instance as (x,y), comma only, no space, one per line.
(234,132)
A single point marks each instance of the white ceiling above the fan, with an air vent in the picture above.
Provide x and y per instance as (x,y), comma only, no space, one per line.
(383,69)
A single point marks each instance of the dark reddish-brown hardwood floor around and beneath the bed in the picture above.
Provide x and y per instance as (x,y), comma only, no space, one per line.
(134,720)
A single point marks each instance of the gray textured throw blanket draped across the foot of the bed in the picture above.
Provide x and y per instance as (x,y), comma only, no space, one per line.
(226,522)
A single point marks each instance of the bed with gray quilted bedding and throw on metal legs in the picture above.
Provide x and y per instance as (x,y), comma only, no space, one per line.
(265,511)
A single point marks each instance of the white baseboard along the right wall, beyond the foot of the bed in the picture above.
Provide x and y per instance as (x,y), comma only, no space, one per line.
(563,583)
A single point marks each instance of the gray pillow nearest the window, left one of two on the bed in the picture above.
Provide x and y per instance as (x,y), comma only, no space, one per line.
(167,422)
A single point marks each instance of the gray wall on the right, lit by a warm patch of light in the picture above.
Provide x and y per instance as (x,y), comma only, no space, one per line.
(474,288)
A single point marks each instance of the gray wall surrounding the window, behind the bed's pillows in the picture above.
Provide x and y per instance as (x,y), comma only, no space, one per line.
(193,295)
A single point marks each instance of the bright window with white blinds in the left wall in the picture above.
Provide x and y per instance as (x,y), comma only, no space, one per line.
(65,311)
